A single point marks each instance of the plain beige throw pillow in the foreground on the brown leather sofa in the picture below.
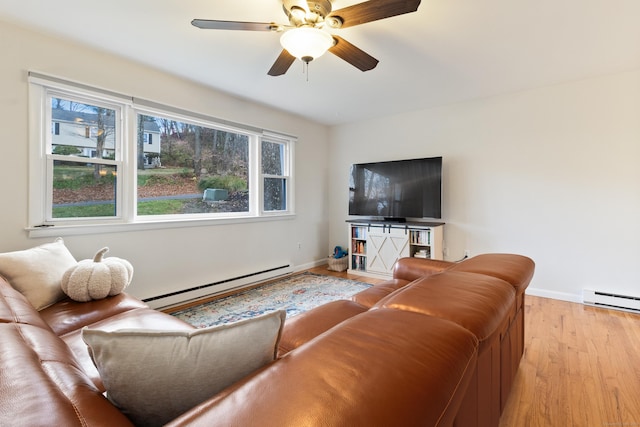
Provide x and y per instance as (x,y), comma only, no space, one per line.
(154,376)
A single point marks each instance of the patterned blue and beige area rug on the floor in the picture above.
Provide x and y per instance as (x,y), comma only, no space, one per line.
(295,294)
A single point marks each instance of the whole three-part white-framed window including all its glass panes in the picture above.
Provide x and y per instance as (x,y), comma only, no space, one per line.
(106,158)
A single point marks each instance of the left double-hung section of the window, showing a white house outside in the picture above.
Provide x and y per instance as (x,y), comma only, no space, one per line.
(81,158)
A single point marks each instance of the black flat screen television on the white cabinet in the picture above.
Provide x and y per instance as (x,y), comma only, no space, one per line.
(396,190)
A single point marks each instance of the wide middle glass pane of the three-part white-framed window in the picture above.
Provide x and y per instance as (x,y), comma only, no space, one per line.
(201,169)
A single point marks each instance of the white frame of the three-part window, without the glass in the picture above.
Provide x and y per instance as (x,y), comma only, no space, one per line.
(40,222)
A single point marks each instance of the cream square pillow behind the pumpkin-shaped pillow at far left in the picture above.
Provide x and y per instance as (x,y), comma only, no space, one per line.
(37,272)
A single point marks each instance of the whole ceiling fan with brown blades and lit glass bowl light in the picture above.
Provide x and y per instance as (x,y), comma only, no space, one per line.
(305,37)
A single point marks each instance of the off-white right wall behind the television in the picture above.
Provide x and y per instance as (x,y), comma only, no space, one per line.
(551,173)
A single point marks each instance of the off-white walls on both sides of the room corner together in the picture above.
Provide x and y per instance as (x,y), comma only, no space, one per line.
(551,173)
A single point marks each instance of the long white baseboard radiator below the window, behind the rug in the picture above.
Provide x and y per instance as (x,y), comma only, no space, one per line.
(211,289)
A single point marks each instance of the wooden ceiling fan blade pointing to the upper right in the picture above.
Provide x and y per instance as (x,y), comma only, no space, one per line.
(373,10)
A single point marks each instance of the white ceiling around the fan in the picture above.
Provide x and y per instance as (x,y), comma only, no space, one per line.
(446,52)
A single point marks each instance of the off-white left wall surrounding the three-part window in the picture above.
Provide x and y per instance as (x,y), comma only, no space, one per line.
(170,259)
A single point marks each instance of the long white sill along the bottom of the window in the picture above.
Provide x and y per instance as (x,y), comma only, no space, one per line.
(83,229)
